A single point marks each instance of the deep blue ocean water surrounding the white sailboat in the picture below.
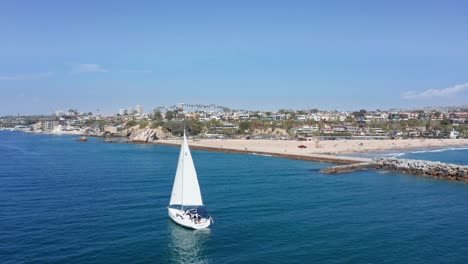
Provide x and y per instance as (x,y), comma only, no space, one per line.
(67,202)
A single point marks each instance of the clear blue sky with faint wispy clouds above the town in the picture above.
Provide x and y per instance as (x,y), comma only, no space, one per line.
(100,56)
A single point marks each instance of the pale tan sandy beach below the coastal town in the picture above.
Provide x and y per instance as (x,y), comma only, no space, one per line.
(329,147)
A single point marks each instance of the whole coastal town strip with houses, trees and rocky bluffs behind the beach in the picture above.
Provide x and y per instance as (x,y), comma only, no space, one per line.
(212,121)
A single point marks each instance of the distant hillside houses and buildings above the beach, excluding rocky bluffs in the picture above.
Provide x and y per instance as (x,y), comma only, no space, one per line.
(303,124)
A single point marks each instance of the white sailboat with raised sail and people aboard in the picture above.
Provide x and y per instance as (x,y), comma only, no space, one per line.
(186,205)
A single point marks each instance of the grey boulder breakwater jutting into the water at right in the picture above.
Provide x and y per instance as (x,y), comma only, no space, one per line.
(423,168)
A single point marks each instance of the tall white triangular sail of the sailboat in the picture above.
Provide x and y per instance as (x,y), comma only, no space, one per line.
(186,190)
